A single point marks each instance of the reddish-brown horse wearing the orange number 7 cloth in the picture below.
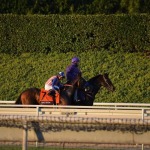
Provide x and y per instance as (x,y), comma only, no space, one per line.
(31,96)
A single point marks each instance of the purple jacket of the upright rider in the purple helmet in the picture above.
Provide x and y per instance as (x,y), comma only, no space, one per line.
(72,72)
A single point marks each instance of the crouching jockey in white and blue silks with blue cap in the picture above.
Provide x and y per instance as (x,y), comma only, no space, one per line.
(53,84)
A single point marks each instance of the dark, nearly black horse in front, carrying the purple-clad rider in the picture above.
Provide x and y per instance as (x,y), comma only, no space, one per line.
(88,89)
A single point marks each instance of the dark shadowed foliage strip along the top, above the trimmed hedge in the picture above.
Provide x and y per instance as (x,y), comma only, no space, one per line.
(74,6)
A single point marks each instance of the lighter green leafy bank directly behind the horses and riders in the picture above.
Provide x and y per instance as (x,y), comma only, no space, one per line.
(129,72)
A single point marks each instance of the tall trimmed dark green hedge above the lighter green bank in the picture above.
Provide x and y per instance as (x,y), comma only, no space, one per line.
(64,33)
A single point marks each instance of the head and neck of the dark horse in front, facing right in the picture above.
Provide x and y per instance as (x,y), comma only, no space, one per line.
(102,80)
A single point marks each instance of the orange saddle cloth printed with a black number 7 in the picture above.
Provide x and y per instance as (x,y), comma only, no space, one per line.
(47,99)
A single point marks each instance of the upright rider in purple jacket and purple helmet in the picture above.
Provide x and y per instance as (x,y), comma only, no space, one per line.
(72,73)
